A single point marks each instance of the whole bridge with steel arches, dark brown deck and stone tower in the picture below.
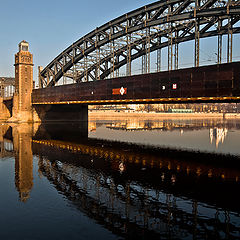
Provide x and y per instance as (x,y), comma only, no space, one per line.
(98,68)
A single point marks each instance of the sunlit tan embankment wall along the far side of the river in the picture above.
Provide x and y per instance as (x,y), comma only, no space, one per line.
(153,115)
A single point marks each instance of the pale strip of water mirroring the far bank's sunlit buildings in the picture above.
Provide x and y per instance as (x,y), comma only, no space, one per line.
(210,134)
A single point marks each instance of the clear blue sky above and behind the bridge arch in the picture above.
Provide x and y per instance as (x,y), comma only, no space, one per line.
(50,26)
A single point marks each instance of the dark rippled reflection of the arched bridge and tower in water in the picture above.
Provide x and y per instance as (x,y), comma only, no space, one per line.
(135,191)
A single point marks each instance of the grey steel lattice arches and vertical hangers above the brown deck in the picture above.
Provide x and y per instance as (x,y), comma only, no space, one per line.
(166,23)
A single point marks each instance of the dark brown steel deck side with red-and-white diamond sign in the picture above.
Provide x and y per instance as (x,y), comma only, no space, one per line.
(206,83)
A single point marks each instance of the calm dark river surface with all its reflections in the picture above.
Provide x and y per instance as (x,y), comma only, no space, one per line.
(121,179)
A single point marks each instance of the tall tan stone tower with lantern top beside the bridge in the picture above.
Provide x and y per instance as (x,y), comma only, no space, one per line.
(22,103)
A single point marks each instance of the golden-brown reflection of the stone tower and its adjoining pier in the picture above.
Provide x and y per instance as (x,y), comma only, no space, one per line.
(16,140)
